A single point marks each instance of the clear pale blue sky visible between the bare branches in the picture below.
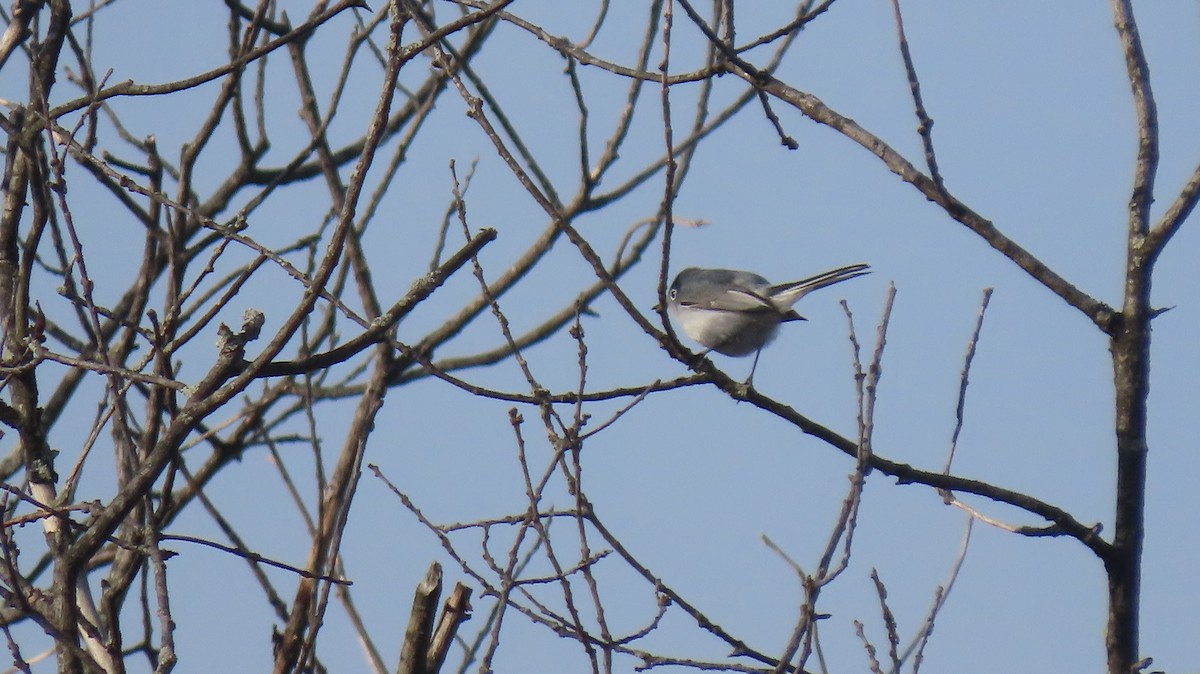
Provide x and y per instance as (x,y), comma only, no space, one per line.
(1035,130)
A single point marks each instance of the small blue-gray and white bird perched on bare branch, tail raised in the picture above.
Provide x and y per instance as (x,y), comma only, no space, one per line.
(737,314)
